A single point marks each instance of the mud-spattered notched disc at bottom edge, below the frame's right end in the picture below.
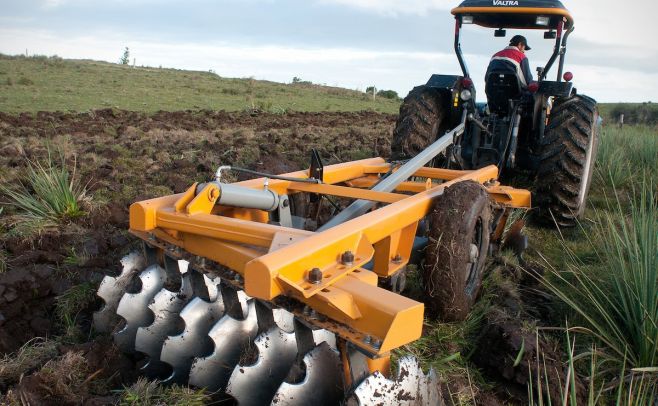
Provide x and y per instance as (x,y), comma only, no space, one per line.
(412,387)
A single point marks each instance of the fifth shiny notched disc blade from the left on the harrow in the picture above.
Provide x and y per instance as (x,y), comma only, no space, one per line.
(231,338)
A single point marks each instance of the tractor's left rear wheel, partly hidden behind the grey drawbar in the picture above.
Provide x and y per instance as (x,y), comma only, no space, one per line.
(422,118)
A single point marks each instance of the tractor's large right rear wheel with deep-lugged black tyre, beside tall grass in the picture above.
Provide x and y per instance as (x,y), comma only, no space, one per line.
(567,156)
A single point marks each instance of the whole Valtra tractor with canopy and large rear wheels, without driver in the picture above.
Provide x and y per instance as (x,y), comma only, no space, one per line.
(545,129)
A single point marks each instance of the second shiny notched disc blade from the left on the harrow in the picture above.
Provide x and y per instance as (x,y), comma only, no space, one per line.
(133,307)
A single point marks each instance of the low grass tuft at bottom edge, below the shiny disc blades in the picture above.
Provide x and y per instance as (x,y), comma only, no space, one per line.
(151,393)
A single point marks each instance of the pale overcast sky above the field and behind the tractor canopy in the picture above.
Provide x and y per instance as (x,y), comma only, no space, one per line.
(392,44)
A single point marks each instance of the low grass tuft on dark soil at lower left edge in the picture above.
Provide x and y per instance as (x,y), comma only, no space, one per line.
(32,355)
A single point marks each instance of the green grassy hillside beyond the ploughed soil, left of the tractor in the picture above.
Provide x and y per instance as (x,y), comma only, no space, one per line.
(54,84)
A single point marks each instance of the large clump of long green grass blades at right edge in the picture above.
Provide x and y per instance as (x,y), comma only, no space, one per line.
(616,299)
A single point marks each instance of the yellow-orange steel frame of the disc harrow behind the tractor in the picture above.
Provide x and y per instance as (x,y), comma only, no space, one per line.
(274,261)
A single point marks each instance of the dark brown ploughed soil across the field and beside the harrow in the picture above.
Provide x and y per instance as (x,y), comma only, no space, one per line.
(125,156)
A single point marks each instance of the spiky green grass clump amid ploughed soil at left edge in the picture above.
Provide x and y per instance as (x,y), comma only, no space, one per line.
(48,196)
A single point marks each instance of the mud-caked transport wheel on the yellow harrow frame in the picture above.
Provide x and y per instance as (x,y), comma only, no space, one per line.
(459,233)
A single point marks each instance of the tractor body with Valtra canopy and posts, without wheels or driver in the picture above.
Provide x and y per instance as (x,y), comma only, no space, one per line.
(508,129)
